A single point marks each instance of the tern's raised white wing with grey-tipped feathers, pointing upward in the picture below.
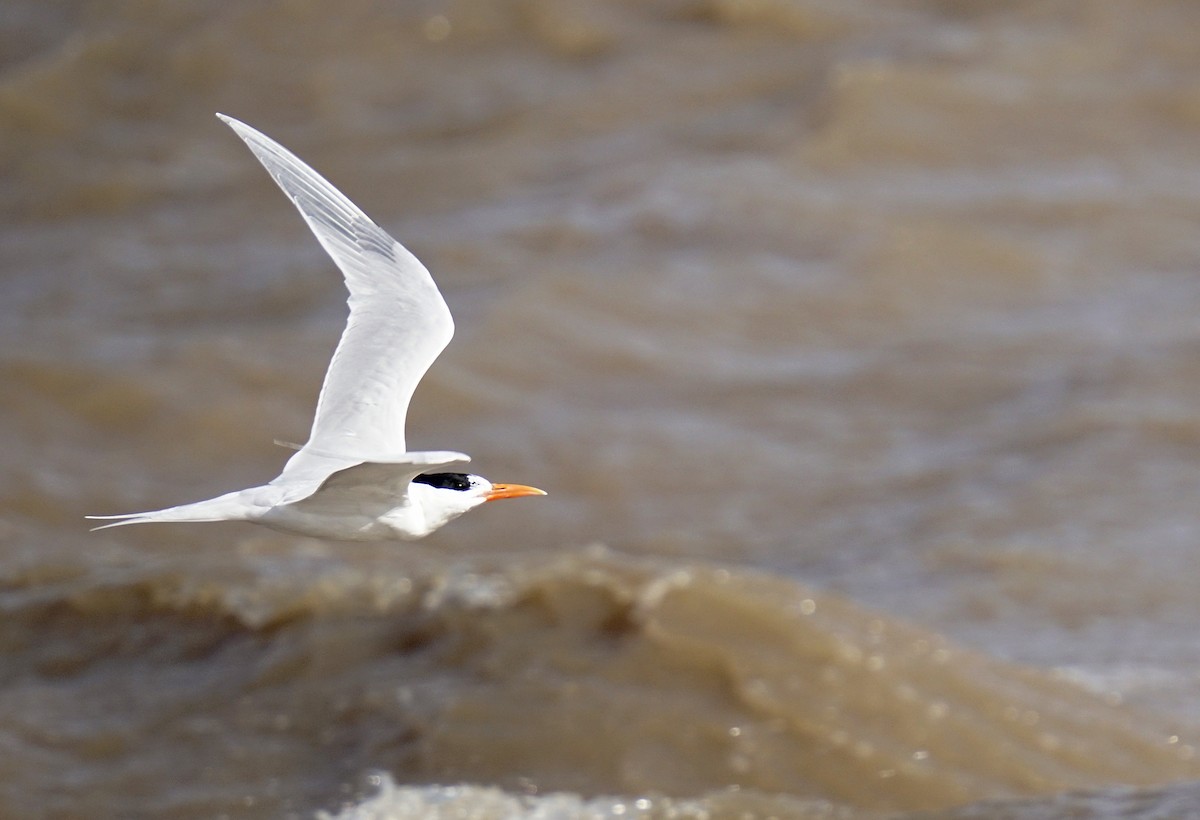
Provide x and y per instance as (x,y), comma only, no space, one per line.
(399,322)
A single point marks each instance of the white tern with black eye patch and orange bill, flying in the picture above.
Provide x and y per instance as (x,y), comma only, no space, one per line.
(355,480)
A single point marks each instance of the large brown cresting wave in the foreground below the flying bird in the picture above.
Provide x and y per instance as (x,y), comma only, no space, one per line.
(591,674)
